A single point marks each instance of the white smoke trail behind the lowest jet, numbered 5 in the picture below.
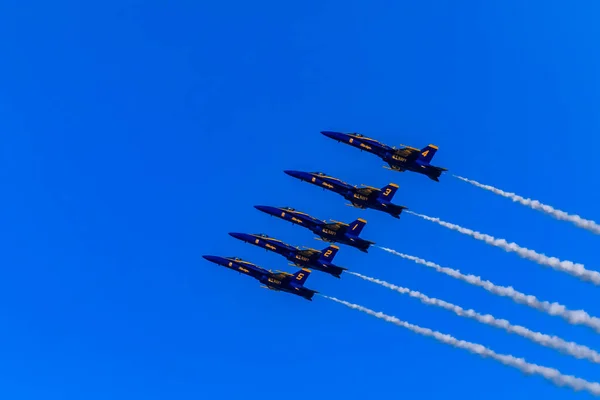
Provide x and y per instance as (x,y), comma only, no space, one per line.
(551,374)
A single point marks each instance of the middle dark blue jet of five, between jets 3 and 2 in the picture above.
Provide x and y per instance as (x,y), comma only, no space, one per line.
(334,231)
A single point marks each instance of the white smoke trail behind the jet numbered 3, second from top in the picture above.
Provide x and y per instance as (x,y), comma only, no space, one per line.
(570,267)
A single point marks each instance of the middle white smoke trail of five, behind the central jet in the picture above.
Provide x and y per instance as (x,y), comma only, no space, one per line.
(575,317)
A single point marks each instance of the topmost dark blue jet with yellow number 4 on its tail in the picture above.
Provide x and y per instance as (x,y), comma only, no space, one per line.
(404,159)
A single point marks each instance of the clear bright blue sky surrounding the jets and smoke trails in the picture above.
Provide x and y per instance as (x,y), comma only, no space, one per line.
(136,135)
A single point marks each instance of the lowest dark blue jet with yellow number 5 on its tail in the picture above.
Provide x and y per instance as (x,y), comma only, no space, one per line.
(278,280)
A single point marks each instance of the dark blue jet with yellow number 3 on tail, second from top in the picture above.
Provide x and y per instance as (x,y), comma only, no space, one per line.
(365,197)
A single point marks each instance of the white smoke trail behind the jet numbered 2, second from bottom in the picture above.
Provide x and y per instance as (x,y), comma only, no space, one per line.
(574,349)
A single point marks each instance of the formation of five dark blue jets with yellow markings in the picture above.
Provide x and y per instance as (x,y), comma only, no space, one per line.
(363,197)
